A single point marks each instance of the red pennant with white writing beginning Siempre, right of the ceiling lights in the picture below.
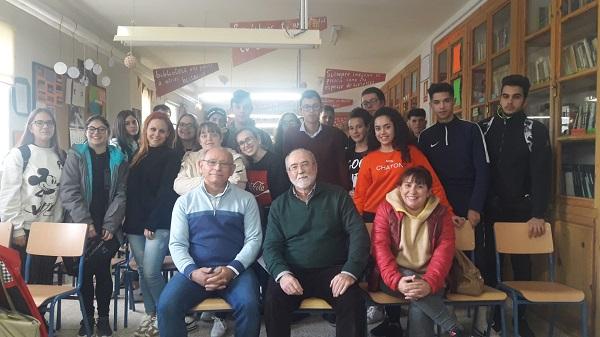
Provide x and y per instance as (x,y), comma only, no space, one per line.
(338,80)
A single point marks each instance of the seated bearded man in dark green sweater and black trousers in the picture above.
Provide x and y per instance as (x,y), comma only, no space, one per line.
(316,246)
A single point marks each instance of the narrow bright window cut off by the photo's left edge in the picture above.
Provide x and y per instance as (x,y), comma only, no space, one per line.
(7,65)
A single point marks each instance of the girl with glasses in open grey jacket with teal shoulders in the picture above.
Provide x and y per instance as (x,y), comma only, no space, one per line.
(93,192)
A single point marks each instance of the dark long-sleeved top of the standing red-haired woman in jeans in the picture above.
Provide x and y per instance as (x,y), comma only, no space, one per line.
(150,194)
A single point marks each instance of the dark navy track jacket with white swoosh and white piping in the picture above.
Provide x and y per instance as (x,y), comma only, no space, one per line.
(457,153)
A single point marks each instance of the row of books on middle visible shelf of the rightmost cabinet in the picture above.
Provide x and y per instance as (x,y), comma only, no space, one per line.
(577,119)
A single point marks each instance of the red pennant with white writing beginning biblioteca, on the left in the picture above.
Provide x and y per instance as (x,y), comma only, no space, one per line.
(169,79)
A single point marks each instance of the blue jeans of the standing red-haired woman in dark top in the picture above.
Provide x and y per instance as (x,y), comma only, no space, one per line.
(149,256)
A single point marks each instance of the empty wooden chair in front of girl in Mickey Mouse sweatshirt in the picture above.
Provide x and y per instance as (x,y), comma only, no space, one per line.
(56,239)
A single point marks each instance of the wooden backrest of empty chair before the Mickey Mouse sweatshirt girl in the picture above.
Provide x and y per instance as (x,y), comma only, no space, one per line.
(56,239)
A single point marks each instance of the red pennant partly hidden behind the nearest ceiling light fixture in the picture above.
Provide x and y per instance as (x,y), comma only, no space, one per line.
(243,55)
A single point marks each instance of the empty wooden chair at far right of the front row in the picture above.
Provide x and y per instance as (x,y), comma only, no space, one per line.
(513,238)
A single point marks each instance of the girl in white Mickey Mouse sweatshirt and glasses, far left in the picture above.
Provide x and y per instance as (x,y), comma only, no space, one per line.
(29,189)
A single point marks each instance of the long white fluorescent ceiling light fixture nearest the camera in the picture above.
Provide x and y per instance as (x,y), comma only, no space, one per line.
(218,37)
